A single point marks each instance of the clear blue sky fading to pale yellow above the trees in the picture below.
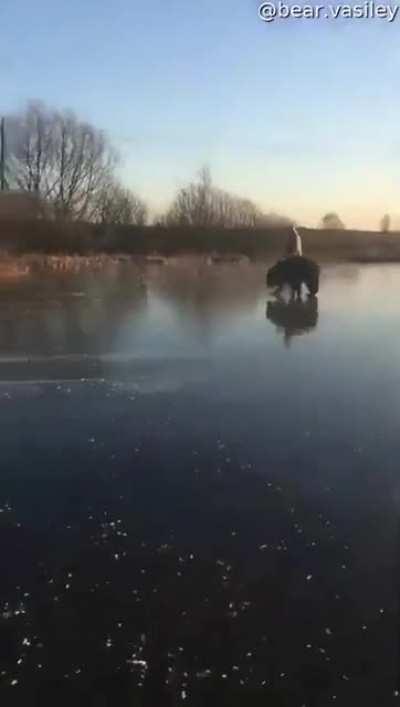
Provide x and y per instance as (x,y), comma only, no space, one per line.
(302,116)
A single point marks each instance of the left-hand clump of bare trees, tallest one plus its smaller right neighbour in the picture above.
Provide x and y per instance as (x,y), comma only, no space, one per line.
(69,165)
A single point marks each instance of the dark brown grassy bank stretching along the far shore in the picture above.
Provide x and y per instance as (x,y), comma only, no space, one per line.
(82,238)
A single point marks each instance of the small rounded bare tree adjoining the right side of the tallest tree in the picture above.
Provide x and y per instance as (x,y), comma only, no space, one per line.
(116,205)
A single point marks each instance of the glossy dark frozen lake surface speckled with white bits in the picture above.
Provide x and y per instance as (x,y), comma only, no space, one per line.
(199,488)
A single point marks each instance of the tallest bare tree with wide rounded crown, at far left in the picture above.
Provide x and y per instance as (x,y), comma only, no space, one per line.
(59,158)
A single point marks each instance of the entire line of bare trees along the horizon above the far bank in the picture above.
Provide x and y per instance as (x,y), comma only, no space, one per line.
(71,167)
